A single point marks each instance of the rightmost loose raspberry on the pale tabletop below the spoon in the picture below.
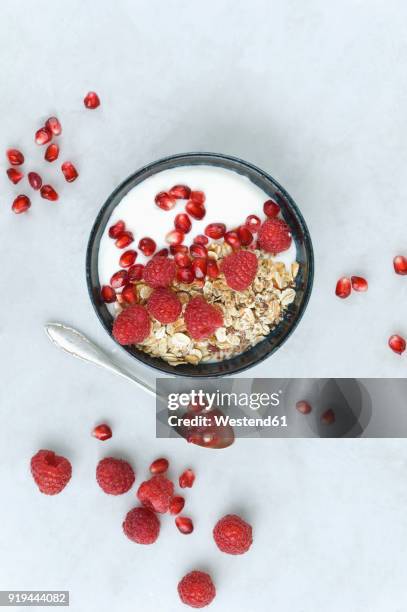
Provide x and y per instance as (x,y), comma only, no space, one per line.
(233,535)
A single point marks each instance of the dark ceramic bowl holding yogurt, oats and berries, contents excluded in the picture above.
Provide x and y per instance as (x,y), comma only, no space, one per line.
(290,213)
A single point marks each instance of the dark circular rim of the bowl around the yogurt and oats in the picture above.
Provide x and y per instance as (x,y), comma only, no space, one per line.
(222,157)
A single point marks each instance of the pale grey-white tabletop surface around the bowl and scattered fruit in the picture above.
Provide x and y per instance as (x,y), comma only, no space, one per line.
(313,92)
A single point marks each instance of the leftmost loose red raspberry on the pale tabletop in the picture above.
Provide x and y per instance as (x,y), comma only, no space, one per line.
(50,472)
